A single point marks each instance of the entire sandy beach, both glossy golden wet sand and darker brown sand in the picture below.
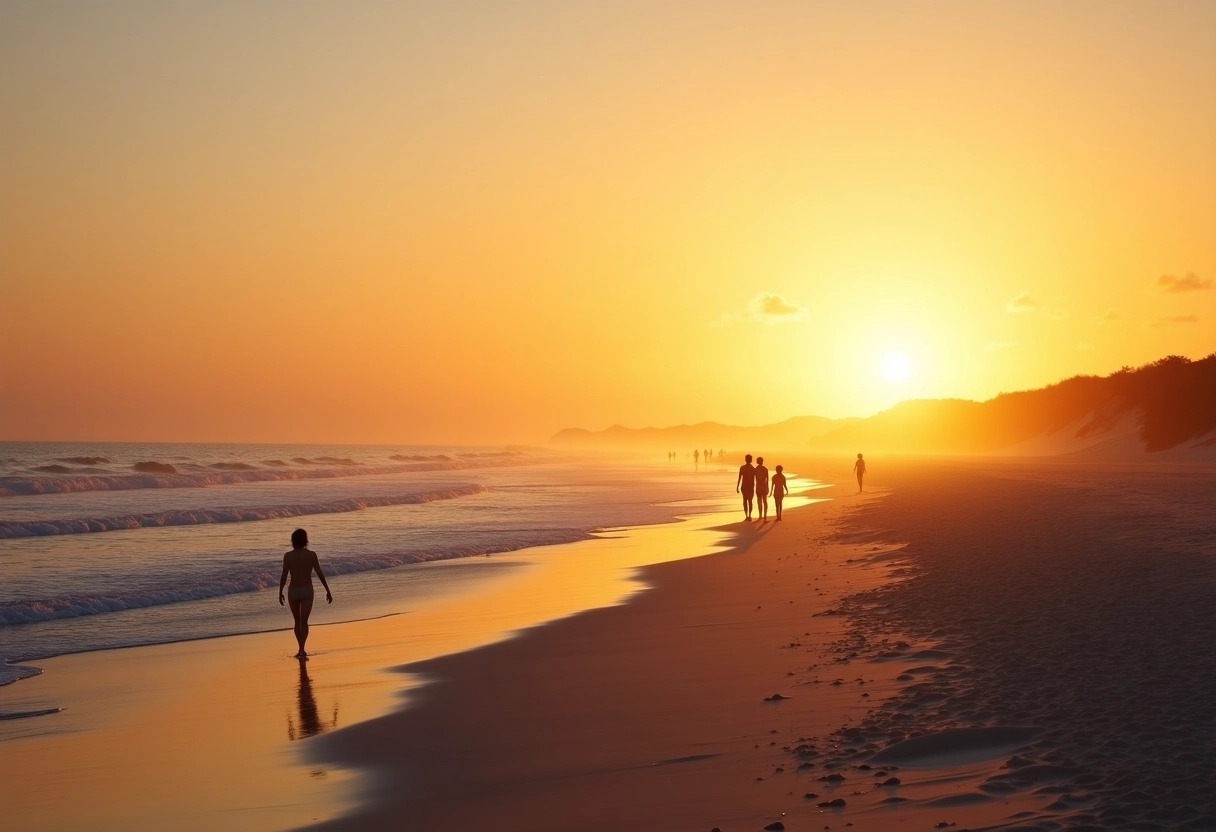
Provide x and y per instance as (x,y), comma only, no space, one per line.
(967,645)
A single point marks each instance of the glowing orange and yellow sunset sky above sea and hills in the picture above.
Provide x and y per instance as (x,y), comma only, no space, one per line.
(486,222)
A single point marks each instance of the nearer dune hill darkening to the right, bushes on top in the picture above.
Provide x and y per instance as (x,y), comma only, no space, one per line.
(1166,406)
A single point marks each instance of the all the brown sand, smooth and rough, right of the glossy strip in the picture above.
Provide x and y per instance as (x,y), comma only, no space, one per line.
(1006,647)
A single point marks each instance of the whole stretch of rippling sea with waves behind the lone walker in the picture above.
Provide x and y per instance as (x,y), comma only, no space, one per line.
(117,546)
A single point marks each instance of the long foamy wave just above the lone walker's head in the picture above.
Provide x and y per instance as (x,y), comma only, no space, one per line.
(229,515)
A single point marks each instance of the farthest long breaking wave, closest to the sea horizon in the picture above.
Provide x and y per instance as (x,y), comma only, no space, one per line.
(204,479)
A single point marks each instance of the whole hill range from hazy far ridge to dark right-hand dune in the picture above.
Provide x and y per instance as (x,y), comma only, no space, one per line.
(1166,409)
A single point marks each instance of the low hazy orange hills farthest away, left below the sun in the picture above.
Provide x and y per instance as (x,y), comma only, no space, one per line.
(792,434)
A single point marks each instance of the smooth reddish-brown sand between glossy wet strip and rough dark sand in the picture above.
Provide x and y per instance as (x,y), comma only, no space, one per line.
(660,698)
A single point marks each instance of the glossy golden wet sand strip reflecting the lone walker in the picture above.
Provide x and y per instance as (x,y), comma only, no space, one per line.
(112,710)
